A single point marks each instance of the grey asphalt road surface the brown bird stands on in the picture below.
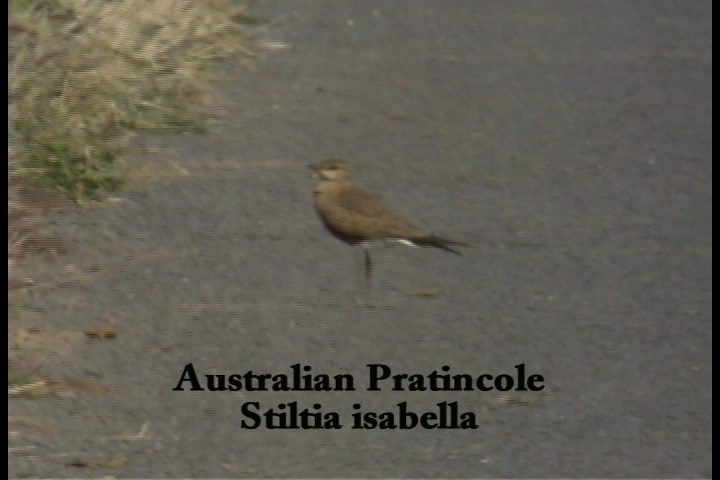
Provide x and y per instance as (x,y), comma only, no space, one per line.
(570,143)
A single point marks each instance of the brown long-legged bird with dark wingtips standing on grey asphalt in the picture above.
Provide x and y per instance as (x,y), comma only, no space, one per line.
(357,217)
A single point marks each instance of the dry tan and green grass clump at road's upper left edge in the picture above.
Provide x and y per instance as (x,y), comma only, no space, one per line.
(85,74)
